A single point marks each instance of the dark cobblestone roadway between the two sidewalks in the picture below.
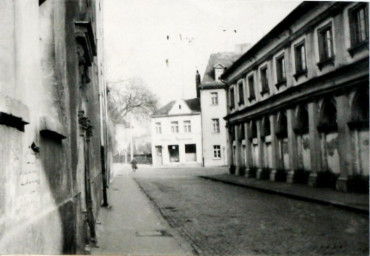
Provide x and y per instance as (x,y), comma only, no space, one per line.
(221,219)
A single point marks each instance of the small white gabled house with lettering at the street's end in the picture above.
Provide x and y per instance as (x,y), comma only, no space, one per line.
(176,134)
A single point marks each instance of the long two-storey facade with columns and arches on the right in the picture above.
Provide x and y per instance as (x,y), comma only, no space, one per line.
(298,99)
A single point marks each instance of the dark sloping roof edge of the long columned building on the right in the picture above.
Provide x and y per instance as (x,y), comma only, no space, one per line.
(298,12)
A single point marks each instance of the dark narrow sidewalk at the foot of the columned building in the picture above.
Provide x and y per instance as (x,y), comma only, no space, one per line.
(350,201)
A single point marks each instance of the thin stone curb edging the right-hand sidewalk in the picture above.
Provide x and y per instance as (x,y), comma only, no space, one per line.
(293,196)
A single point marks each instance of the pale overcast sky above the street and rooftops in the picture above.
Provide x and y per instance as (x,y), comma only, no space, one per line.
(137,46)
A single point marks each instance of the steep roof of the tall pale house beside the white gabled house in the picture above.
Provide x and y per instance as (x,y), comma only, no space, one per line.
(224,59)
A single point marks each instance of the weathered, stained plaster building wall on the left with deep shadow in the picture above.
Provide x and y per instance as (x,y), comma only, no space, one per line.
(53,125)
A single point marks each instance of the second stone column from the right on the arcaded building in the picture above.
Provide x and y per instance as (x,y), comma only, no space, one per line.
(314,143)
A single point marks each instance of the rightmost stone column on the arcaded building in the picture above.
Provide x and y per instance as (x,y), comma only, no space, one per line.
(344,142)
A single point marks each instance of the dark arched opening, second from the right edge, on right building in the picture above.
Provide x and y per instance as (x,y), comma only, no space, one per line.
(328,117)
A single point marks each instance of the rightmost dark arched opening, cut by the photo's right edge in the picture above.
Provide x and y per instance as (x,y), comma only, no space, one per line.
(360,110)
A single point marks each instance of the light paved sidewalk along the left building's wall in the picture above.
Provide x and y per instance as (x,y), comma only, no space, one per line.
(133,225)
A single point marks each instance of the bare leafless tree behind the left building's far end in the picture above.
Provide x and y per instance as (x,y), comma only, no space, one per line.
(130,97)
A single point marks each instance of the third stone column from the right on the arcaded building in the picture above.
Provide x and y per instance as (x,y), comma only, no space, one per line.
(292,145)
